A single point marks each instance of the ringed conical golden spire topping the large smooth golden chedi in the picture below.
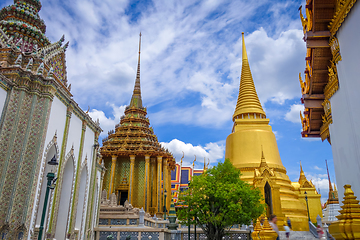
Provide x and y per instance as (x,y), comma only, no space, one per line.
(248,101)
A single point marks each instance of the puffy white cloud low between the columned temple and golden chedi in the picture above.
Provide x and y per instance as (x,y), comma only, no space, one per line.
(211,151)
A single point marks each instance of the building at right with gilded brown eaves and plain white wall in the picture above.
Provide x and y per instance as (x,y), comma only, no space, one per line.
(330,90)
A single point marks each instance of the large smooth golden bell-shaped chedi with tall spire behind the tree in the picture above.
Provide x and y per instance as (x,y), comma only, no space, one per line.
(252,148)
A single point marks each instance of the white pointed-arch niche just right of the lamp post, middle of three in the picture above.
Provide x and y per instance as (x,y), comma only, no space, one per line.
(65,197)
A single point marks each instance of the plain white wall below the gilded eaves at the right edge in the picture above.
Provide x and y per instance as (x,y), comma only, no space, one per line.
(345,129)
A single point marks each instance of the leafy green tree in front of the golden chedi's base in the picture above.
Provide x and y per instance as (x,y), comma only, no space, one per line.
(218,199)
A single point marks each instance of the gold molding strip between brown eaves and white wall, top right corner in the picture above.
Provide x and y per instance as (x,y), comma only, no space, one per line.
(343,7)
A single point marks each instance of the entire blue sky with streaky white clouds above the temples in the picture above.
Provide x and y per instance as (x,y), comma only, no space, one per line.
(190,68)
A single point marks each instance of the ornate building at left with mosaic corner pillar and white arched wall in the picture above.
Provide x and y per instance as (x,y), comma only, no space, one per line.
(40,122)
